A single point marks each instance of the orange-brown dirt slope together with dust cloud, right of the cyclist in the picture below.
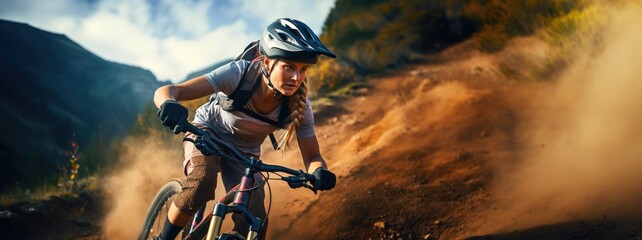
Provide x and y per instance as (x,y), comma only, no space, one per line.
(454,149)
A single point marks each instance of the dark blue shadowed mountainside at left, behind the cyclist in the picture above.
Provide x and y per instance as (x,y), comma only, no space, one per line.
(53,90)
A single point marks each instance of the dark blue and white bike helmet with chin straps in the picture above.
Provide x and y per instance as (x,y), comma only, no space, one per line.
(290,39)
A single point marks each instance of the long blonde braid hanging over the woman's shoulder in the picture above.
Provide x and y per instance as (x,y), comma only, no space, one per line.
(298,104)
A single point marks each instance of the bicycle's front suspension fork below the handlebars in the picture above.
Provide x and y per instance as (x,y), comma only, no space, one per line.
(239,205)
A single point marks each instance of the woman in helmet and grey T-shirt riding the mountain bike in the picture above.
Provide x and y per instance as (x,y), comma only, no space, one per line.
(287,49)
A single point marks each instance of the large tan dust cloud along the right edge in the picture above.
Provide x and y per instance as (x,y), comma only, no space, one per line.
(582,140)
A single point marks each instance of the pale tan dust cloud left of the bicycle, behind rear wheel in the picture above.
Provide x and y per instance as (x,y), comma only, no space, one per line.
(144,166)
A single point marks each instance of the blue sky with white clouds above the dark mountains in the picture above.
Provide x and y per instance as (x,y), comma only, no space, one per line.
(169,37)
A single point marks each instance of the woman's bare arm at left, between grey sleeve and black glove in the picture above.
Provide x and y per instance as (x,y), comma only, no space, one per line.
(188,90)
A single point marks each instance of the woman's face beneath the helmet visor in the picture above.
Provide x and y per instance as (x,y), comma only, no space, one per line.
(287,75)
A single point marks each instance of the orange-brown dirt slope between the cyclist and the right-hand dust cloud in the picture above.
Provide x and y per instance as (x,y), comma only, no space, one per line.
(414,154)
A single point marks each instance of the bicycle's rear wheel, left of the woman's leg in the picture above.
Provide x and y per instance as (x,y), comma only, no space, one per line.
(157,212)
